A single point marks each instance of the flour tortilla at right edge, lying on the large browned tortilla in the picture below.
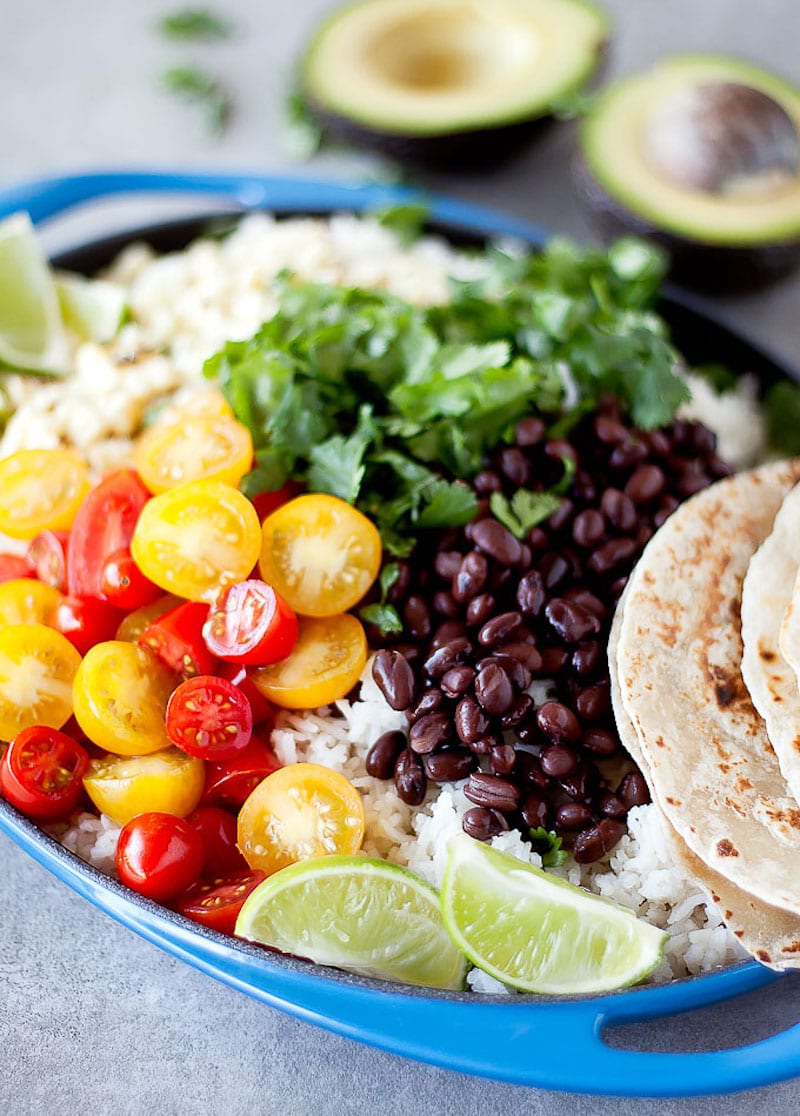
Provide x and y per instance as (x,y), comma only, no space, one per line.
(767,597)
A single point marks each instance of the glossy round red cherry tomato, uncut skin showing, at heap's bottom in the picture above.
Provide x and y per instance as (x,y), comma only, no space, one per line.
(159,855)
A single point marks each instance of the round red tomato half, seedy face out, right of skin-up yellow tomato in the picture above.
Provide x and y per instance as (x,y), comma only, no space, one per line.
(209,718)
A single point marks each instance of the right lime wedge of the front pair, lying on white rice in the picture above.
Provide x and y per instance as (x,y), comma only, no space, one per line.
(538,934)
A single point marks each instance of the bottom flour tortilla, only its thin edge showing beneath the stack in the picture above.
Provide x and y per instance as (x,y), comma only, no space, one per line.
(769,935)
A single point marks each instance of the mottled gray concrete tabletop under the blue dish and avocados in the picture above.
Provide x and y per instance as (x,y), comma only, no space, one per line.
(92,1018)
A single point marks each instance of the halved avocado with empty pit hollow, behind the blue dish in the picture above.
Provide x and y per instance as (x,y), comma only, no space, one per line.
(448,82)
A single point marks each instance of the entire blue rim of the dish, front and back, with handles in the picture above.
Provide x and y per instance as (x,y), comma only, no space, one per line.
(491,1037)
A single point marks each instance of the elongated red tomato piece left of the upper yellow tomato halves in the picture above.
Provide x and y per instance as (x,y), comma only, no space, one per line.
(103,526)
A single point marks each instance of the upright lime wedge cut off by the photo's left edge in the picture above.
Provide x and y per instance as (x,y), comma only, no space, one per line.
(32,332)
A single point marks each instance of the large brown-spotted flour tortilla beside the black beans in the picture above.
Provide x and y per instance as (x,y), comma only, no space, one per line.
(712,768)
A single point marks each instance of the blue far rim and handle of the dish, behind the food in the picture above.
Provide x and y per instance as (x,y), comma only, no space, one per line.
(47,198)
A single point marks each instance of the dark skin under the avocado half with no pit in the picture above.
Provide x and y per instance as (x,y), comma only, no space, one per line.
(477,150)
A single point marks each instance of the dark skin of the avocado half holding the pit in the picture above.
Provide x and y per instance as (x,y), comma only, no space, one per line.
(711,268)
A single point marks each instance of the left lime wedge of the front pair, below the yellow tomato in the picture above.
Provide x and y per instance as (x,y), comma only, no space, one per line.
(364,916)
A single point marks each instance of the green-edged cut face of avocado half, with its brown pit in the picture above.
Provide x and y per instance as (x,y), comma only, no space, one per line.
(703,148)
